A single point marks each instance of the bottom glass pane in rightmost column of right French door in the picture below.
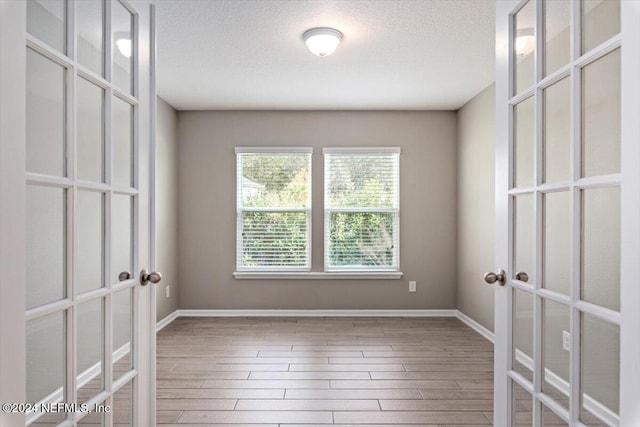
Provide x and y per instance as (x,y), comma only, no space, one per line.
(600,355)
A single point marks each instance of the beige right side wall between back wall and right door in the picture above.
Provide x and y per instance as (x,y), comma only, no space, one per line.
(476,206)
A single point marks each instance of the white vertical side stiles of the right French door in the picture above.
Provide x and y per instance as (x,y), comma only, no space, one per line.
(630,216)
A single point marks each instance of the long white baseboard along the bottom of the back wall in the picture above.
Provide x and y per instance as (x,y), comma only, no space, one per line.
(317,313)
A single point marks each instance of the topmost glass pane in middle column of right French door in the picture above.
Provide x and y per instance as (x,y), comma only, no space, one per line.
(557,16)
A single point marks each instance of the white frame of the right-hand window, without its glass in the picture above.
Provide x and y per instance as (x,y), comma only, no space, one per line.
(395,210)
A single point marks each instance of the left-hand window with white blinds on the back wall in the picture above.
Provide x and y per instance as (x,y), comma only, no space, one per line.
(274,209)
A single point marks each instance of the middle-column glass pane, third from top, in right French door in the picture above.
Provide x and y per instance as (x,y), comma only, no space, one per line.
(557,241)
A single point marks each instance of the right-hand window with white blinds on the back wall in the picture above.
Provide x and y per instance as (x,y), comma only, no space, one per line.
(361,196)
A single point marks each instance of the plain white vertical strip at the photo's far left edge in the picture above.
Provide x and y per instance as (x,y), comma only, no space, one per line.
(12,215)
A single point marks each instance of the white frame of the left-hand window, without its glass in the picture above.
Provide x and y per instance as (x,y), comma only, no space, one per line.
(240,209)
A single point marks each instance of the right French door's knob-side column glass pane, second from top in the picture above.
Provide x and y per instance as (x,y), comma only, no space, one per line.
(523,128)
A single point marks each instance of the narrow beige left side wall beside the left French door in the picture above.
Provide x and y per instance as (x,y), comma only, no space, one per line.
(167,208)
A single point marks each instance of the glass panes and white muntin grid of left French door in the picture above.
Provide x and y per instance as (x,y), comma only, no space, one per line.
(79,176)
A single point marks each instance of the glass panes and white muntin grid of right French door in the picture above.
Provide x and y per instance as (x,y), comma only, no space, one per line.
(565,384)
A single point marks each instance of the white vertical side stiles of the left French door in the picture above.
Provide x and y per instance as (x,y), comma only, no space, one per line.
(13,208)
